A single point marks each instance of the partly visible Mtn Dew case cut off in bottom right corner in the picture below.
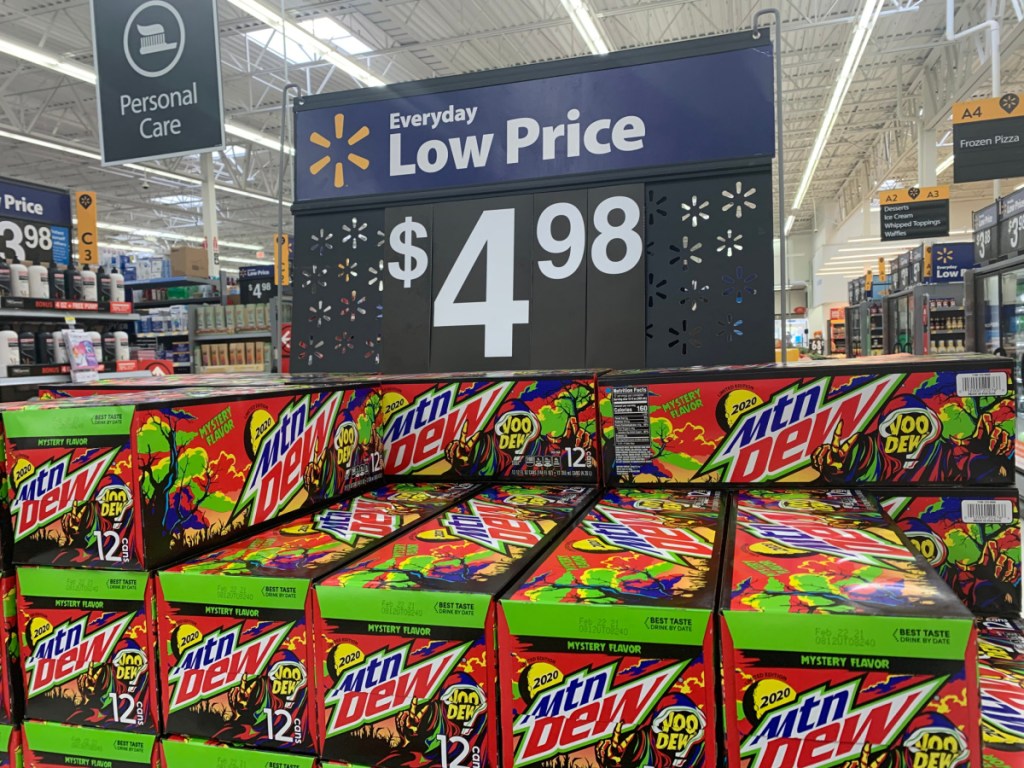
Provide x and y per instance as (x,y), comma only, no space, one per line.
(1001,652)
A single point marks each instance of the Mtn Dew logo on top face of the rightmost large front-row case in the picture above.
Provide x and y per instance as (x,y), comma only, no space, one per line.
(804,532)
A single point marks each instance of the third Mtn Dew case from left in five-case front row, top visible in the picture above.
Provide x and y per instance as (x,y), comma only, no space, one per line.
(407,634)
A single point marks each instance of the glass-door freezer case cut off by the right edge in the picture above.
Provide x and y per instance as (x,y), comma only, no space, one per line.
(998,307)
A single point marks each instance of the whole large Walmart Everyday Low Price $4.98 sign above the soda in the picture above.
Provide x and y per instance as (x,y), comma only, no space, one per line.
(589,212)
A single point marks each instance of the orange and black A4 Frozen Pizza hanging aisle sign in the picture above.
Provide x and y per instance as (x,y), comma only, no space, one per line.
(989,139)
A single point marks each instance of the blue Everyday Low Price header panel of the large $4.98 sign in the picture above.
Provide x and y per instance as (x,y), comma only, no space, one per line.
(701,109)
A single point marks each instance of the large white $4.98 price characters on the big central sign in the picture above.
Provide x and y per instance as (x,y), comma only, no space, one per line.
(617,248)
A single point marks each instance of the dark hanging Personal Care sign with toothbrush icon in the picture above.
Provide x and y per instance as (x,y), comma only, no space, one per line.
(158,69)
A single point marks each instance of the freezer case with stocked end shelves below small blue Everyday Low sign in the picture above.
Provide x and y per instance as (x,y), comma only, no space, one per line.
(926,320)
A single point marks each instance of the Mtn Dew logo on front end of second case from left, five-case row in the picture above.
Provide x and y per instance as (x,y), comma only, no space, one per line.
(219,663)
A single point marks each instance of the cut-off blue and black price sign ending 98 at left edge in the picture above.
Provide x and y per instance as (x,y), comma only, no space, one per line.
(35,224)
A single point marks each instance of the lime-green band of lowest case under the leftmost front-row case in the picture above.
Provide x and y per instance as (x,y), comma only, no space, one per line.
(57,746)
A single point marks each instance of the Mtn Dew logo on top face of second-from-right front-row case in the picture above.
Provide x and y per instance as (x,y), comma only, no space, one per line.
(644,532)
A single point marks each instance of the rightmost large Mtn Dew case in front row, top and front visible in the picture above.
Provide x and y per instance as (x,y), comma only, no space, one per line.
(841,647)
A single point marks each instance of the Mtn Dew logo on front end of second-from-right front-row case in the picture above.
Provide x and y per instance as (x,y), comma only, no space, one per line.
(586,708)
